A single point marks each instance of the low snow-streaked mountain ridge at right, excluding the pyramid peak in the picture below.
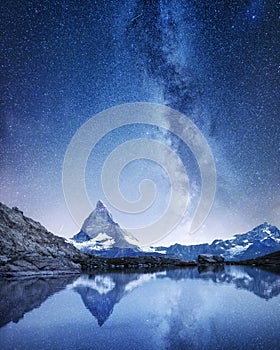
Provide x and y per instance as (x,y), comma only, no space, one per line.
(263,239)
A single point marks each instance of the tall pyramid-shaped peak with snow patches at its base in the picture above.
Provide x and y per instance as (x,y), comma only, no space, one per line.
(101,235)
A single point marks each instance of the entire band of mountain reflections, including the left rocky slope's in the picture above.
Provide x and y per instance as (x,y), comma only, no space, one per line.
(101,292)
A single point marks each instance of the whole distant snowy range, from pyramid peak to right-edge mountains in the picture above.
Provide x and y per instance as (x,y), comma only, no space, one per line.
(100,235)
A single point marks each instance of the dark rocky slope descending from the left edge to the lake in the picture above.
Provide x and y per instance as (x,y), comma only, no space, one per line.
(27,248)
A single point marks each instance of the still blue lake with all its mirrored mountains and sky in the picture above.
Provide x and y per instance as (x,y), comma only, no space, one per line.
(230,308)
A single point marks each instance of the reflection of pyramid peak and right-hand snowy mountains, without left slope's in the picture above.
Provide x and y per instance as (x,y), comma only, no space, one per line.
(100,293)
